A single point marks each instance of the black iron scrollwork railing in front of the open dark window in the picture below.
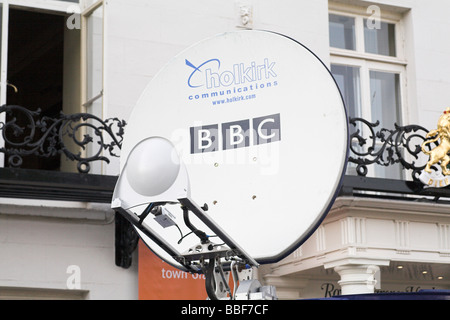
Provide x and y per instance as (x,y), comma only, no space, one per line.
(27,133)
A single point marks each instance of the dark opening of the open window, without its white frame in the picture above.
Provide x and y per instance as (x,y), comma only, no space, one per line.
(35,72)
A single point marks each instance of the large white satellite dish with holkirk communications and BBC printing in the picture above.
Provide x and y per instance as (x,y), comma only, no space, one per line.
(251,126)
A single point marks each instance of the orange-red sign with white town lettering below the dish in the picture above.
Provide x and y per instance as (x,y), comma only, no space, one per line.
(158,280)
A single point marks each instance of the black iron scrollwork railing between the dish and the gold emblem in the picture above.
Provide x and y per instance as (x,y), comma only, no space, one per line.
(386,147)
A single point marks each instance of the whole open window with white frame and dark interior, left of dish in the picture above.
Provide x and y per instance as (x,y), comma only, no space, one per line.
(50,65)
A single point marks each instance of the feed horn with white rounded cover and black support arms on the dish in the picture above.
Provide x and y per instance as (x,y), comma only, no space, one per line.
(154,176)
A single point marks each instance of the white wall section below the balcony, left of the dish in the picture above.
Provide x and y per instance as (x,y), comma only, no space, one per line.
(62,246)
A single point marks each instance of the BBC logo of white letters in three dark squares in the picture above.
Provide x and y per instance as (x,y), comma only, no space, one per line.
(236,134)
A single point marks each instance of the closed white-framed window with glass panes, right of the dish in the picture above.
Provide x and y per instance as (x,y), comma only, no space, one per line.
(368,64)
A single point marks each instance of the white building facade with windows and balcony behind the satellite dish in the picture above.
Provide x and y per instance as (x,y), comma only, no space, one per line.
(389,58)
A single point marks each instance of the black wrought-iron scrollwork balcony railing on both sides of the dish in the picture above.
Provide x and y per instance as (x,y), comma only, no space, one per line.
(71,135)
